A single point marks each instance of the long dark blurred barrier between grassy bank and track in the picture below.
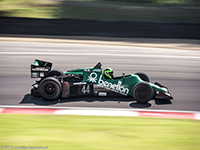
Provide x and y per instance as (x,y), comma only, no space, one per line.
(71,27)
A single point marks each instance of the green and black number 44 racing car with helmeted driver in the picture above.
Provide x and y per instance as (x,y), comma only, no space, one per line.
(55,84)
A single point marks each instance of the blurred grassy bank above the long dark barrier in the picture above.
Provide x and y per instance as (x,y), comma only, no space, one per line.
(99,10)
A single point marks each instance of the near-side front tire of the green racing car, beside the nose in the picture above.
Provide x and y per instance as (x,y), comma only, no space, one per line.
(143,92)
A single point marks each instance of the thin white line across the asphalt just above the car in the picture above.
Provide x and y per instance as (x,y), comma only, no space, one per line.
(96,54)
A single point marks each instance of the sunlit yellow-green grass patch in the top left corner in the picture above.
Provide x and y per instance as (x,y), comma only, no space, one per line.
(28,8)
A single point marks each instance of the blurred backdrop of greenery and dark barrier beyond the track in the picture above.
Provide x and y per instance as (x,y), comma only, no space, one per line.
(111,18)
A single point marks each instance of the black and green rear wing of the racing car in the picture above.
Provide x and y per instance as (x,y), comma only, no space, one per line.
(40,68)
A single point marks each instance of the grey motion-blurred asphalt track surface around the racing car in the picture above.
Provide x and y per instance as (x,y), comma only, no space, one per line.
(177,69)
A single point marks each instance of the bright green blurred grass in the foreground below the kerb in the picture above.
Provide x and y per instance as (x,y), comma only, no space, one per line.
(60,132)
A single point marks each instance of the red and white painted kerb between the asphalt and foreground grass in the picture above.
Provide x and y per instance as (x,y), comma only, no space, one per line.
(98,112)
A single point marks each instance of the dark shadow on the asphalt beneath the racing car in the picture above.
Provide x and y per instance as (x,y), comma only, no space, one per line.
(29,99)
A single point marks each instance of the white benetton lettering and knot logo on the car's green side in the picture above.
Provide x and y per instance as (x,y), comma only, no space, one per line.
(108,85)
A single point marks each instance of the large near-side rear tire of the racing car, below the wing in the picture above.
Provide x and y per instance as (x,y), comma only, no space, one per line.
(50,88)
